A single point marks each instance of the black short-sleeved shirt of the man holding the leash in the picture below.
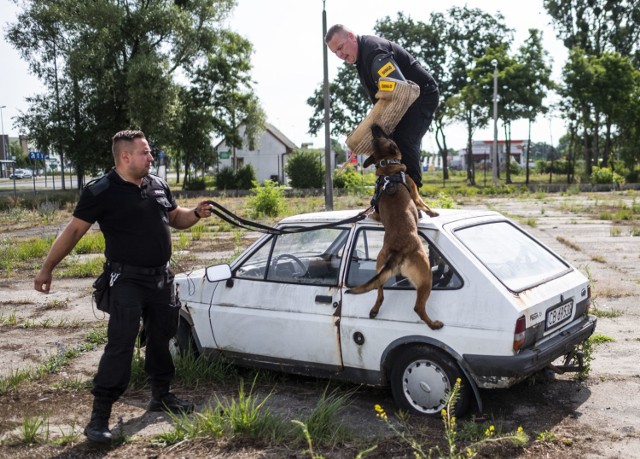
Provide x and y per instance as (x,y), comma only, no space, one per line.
(134,221)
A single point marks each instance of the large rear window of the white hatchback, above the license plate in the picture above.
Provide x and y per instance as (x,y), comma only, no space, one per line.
(517,260)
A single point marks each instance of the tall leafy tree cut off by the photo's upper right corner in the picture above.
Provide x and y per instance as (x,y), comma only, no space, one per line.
(591,29)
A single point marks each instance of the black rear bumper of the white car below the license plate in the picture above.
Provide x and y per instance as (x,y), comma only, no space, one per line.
(503,371)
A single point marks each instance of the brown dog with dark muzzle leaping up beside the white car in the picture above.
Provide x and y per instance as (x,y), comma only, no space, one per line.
(402,250)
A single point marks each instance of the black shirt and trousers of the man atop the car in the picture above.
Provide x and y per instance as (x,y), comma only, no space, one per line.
(378,57)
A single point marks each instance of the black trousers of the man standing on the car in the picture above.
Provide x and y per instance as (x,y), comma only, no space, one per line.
(411,129)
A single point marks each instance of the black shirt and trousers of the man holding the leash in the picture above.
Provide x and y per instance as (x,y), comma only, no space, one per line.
(135,224)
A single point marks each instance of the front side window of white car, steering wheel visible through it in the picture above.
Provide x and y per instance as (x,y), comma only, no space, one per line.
(302,258)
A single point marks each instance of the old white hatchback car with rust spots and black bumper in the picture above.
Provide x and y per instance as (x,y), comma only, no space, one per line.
(510,306)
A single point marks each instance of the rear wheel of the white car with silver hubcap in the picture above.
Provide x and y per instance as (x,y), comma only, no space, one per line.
(422,378)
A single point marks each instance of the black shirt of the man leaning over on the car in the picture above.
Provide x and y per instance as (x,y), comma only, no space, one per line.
(370,46)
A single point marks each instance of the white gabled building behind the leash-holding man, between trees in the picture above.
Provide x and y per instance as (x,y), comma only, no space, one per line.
(268,160)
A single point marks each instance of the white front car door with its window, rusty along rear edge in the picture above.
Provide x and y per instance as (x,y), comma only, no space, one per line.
(280,304)
